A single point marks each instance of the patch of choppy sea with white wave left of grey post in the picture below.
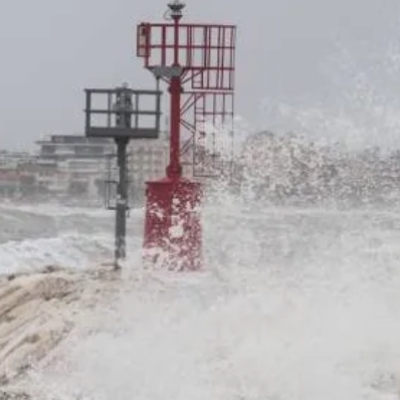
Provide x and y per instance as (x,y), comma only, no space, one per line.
(34,237)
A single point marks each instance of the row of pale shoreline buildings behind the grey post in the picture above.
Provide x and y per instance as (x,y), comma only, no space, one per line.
(74,167)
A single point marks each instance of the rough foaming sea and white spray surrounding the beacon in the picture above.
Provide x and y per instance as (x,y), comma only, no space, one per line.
(291,304)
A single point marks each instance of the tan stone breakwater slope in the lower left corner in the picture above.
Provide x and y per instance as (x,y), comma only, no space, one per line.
(38,311)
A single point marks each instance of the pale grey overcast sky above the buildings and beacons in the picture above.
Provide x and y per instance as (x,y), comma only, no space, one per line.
(299,62)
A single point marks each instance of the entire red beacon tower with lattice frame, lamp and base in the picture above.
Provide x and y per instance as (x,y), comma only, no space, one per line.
(197,61)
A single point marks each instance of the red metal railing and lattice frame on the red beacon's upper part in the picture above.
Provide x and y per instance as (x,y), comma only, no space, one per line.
(206,54)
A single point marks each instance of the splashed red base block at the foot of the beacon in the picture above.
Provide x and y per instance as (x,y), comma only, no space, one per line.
(172,224)
